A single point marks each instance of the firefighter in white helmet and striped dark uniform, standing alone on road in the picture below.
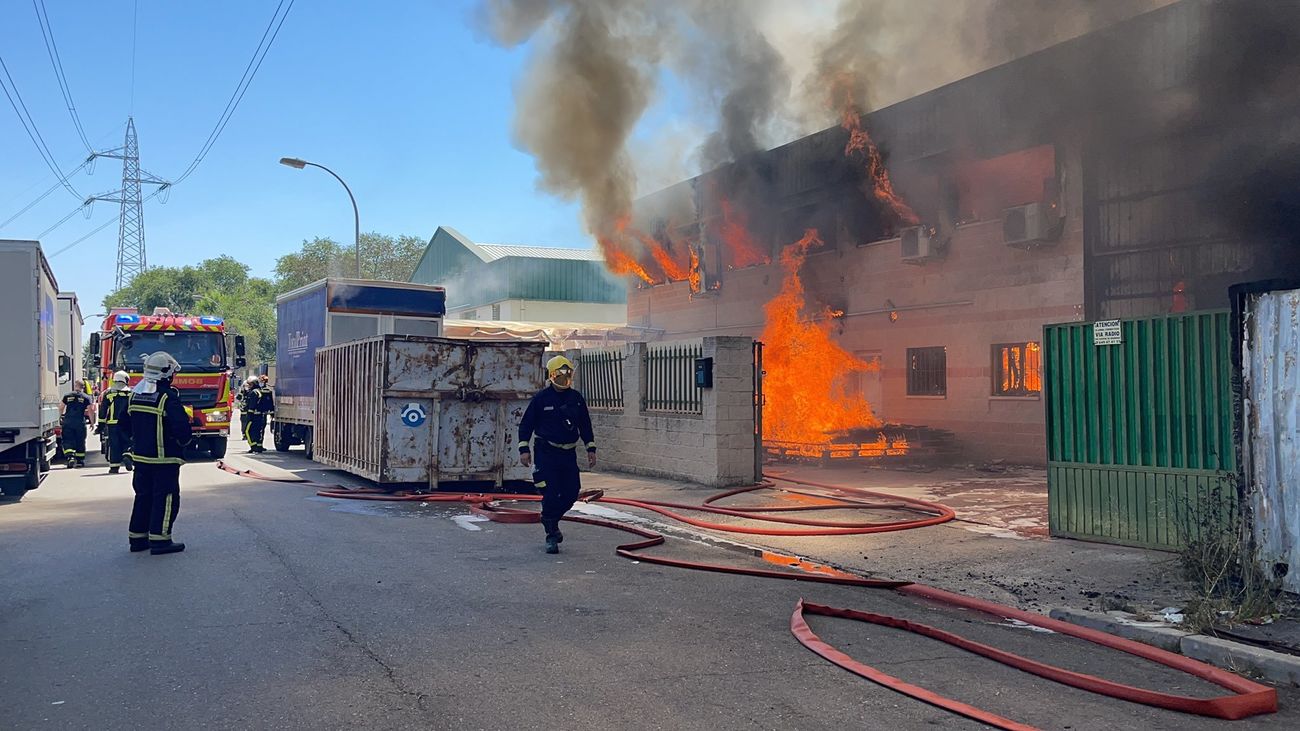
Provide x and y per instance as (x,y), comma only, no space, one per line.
(159,429)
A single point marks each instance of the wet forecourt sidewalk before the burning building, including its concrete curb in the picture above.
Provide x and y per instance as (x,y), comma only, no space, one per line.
(996,550)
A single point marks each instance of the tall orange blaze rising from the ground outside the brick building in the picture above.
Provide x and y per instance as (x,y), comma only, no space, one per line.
(807,391)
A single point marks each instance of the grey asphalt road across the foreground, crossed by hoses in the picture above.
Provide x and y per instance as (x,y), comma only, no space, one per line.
(296,612)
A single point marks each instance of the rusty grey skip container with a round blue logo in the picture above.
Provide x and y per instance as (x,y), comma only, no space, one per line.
(411,409)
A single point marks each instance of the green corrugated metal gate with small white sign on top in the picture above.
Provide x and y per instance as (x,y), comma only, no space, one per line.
(1141,445)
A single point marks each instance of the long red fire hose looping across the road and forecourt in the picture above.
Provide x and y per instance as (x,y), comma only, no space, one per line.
(1246,699)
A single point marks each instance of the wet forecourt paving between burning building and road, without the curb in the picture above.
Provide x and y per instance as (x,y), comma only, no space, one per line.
(996,550)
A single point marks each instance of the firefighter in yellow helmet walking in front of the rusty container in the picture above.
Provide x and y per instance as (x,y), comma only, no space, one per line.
(561,423)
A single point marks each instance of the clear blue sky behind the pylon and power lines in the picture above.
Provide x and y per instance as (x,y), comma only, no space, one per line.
(409,102)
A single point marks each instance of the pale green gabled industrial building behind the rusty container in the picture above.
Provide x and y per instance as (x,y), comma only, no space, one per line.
(521,284)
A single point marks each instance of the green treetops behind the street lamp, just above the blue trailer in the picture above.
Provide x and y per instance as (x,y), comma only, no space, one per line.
(383,258)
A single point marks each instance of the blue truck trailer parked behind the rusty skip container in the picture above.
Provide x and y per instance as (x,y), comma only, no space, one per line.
(330,313)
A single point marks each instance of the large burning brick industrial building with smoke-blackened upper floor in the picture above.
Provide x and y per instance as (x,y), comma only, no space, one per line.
(1125,174)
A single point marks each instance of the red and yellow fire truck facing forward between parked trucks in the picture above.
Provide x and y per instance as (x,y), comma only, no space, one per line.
(200,345)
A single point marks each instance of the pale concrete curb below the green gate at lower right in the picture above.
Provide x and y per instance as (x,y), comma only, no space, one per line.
(1238,658)
